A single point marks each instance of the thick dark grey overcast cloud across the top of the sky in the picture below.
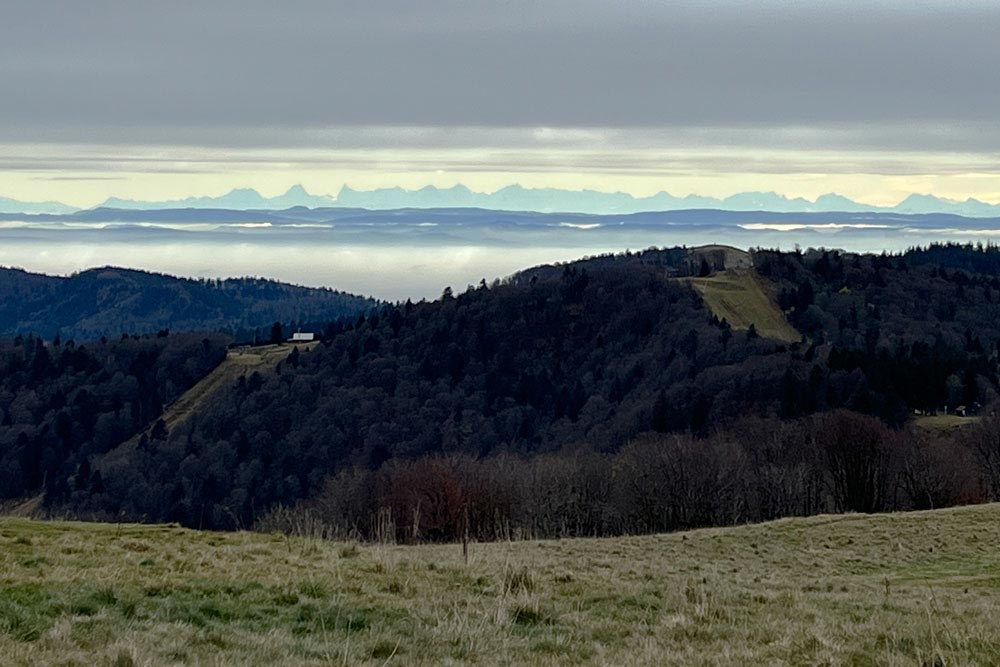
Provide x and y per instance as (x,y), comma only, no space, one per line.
(264,73)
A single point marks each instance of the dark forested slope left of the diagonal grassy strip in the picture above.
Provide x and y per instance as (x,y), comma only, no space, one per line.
(62,405)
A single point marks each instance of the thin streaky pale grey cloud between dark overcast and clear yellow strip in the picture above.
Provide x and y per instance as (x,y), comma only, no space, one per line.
(617,155)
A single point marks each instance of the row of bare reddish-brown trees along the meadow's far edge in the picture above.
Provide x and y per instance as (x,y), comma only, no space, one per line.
(758,469)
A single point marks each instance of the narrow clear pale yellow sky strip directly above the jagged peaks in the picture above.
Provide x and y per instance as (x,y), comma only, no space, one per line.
(864,188)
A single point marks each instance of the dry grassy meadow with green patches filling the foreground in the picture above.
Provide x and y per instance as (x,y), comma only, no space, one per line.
(918,589)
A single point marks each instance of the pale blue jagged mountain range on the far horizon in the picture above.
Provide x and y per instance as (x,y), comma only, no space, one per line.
(518,198)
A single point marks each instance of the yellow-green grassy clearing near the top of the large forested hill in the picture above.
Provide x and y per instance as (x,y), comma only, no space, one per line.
(740,298)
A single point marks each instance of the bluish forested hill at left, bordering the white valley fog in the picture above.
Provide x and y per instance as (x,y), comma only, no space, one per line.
(111,301)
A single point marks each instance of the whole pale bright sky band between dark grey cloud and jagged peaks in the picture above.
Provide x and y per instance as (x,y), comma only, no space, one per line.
(178,173)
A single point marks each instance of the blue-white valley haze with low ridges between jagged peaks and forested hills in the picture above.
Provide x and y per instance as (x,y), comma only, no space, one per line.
(414,253)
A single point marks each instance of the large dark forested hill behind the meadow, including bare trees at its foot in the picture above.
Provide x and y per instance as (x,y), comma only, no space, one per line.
(595,397)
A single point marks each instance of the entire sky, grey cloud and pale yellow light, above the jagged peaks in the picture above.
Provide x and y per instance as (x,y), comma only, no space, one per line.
(874,100)
